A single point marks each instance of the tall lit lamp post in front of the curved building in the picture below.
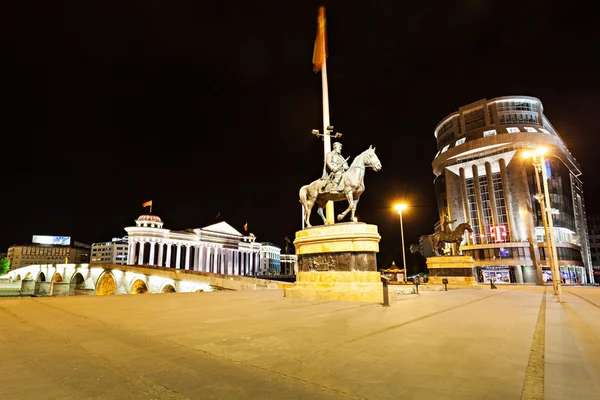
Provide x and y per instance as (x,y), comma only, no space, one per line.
(539,163)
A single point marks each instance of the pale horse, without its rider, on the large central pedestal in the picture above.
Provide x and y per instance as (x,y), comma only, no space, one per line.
(352,186)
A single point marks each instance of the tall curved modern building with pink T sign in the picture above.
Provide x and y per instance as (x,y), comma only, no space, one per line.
(483,178)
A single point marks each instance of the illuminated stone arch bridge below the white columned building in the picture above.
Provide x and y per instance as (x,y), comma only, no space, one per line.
(108,279)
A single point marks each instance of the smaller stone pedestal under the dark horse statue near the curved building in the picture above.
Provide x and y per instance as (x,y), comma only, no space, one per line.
(459,270)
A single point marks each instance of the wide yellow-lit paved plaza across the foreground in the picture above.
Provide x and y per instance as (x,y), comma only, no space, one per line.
(510,343)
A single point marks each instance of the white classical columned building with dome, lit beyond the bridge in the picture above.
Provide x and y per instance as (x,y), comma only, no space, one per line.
(217,248)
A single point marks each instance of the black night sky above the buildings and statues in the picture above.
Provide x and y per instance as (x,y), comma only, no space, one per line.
(207,107)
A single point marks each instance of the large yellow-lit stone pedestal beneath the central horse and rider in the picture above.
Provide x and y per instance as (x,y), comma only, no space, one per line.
(338,262)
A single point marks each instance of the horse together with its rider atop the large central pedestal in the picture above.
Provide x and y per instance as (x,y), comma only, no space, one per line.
(339,182)
